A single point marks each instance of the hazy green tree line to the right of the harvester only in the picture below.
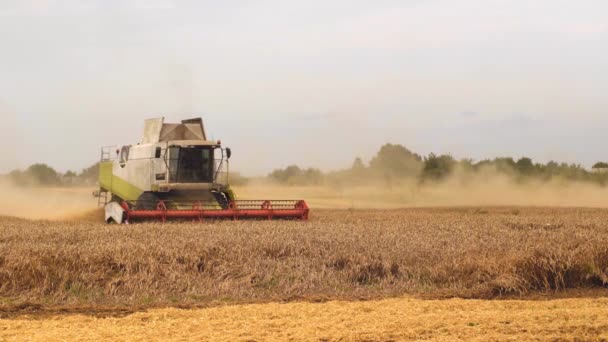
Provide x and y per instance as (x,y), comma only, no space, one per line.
(395,163)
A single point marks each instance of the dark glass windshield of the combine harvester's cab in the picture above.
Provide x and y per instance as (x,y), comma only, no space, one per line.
(191,164)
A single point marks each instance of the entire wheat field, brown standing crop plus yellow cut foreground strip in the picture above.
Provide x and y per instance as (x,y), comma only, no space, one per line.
(498,273)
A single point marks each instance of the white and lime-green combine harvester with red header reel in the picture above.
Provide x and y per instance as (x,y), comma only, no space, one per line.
(176,173)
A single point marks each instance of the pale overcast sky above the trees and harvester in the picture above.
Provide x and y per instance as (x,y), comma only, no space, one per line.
(314,83)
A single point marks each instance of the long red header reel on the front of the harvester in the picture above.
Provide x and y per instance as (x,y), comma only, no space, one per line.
(240,209)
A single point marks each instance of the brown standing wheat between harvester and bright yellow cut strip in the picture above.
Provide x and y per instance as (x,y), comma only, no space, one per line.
(472,253)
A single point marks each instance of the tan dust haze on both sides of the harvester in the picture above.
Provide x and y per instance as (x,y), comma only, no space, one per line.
(457,191)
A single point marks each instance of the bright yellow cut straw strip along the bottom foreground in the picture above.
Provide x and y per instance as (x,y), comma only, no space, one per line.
(386,320)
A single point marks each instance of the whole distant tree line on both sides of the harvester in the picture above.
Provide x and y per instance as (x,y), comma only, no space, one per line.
(391,164)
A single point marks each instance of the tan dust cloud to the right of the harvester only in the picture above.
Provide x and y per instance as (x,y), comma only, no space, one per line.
(485,189)
